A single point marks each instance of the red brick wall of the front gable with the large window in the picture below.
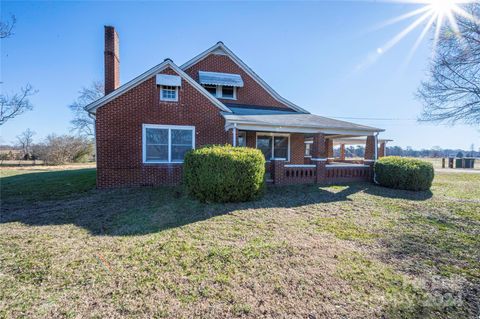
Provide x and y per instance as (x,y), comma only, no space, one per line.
(119,132)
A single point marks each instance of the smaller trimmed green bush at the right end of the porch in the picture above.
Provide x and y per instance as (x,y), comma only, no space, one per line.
(404,173)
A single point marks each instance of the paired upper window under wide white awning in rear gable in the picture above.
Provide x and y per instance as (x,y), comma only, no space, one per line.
(221,85)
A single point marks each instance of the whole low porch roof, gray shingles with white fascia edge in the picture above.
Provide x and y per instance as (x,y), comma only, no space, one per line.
(296,123)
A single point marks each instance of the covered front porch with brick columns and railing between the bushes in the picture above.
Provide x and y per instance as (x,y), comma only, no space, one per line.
(304,154)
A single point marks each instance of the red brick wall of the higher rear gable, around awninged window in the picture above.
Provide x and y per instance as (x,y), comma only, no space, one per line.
(251,93)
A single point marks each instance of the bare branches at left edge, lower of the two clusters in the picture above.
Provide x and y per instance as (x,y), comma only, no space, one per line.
(18,103)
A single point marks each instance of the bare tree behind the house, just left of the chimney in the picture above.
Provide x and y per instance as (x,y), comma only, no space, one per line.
(82,123)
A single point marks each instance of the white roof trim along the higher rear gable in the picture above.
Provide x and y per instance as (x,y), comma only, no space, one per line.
(245,68)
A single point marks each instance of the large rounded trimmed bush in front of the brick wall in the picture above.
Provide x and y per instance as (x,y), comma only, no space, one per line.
(224,173)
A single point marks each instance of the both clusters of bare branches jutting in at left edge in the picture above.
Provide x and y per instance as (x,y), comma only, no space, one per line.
(18,103)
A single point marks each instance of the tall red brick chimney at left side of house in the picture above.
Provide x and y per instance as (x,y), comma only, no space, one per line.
(112,60)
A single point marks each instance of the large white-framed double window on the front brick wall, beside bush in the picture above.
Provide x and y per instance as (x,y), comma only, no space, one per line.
(167,143)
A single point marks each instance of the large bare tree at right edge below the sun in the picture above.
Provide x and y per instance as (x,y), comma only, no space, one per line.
(452,92)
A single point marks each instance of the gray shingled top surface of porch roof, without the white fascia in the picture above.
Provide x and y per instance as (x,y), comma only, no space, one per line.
(298,120)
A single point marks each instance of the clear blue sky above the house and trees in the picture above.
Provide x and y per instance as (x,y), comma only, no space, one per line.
(312,53)
